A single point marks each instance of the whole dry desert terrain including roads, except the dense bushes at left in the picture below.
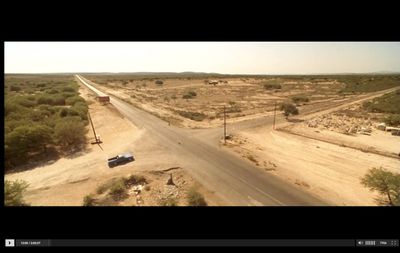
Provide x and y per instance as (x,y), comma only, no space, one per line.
(174,127)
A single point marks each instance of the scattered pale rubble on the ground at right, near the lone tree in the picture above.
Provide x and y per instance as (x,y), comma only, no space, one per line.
(342,124)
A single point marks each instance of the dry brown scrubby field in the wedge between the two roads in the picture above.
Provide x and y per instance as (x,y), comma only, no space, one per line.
(250,97)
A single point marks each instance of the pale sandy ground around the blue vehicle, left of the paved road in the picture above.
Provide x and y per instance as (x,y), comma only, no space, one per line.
(68,180)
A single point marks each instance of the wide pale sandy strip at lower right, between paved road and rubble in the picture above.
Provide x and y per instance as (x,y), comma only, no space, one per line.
(326,170)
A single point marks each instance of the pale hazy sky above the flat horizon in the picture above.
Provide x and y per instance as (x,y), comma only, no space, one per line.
(220,57)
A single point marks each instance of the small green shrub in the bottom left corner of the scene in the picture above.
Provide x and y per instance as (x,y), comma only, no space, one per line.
(14,193)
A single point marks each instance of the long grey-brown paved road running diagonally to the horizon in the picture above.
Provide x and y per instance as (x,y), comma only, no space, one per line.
(235,180)
